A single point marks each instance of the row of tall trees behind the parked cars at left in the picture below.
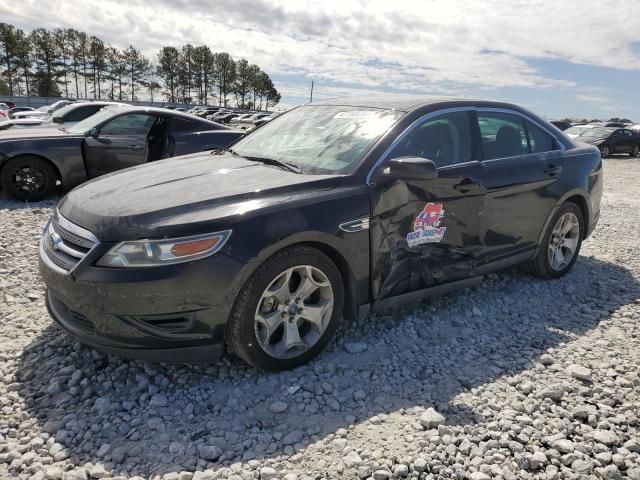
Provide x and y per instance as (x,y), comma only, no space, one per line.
(67,62)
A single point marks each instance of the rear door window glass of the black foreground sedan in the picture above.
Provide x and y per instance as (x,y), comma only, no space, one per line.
(503,135)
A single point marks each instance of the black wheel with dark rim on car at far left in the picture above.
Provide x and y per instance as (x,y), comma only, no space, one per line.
(14,185)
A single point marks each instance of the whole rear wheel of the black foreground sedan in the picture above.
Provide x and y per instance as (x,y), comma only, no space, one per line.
(561,243)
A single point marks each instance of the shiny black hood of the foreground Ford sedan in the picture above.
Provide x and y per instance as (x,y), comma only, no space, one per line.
(185,195)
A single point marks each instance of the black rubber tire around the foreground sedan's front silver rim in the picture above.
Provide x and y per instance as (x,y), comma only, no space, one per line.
(241,333)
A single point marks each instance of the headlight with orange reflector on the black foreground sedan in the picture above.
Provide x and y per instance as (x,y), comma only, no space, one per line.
(152,253)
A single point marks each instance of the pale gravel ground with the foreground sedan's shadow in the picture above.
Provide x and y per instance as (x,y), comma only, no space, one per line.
(518,378)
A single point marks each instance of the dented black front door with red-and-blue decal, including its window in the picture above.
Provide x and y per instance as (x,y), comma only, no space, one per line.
(425,228)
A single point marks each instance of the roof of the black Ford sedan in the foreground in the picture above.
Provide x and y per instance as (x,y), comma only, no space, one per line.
(407,103)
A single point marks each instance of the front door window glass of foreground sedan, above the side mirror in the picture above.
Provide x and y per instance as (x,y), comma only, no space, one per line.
(445,139)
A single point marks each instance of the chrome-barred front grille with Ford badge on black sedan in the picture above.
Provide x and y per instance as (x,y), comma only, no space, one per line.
(66,244)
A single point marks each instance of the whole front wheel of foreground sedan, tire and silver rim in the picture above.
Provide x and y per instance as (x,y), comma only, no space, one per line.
(288,310)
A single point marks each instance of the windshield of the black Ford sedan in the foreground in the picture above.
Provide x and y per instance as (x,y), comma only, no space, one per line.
(319,139)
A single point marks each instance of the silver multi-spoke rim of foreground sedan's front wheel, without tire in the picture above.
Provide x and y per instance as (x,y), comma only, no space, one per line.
(294,312)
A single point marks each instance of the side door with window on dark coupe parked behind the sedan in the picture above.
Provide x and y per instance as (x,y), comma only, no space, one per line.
(121,143)
